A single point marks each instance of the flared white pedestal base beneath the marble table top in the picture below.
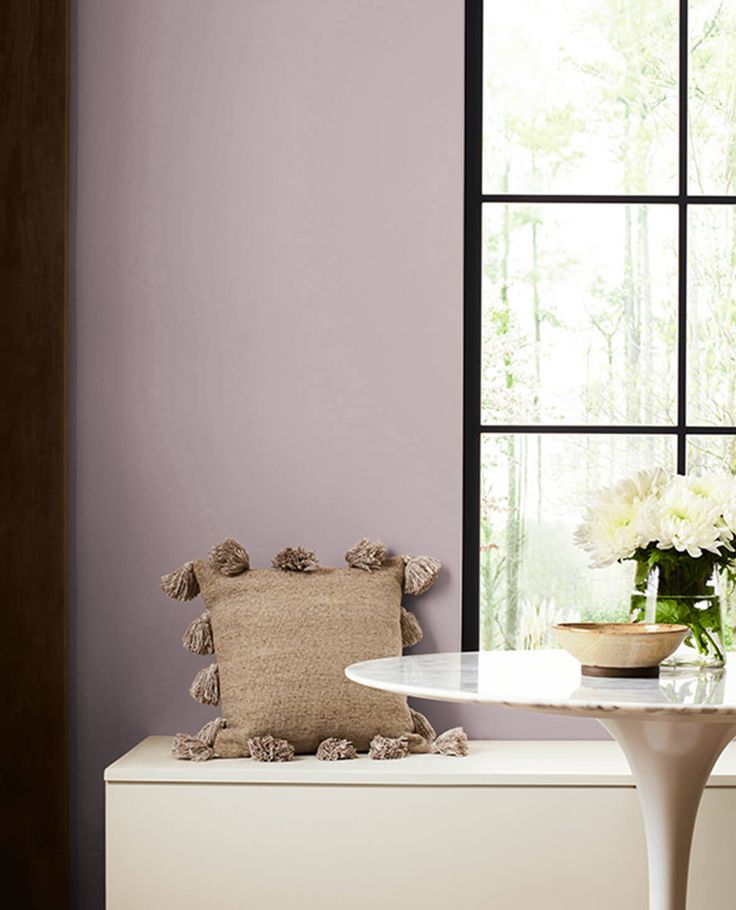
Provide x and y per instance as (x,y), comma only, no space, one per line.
(671,760)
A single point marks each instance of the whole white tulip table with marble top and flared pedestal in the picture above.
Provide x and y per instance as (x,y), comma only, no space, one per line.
(672,729)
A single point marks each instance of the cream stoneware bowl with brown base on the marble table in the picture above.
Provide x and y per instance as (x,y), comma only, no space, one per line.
(628,649)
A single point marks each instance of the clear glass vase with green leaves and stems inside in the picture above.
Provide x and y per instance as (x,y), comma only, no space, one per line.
(672,597)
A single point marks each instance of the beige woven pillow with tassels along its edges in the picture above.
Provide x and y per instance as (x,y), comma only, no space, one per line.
(282,638)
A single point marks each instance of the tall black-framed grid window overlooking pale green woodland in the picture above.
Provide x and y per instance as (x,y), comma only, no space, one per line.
(606,305)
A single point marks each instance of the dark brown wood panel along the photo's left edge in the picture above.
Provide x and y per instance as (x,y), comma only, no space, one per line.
(33,544)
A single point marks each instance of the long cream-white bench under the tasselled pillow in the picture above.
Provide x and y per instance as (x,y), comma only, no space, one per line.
(537,825)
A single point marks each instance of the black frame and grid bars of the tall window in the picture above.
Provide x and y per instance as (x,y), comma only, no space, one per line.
(474,429)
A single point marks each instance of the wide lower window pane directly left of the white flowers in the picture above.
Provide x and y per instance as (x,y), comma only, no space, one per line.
(534,491)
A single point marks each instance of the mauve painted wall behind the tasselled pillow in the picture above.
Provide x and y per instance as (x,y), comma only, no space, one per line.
(267,327)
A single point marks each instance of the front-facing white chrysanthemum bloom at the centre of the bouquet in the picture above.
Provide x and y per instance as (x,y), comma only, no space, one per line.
(688,521)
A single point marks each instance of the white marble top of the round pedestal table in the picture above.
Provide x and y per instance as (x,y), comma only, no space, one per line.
(548,681)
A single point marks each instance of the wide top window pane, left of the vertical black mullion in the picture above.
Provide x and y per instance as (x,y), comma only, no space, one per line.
(580,96)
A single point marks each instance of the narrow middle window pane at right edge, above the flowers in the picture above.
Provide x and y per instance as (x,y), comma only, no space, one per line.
(711,308)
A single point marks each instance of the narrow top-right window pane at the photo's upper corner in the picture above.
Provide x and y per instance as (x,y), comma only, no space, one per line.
(712,96)
